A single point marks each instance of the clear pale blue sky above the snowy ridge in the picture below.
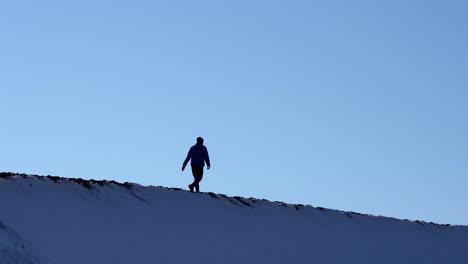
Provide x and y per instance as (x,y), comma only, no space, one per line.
(352,105)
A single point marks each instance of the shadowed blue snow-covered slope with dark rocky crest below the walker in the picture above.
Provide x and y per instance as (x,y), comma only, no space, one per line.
(59,220)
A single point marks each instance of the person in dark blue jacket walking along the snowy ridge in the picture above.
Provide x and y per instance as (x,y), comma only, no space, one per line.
(198,153)
